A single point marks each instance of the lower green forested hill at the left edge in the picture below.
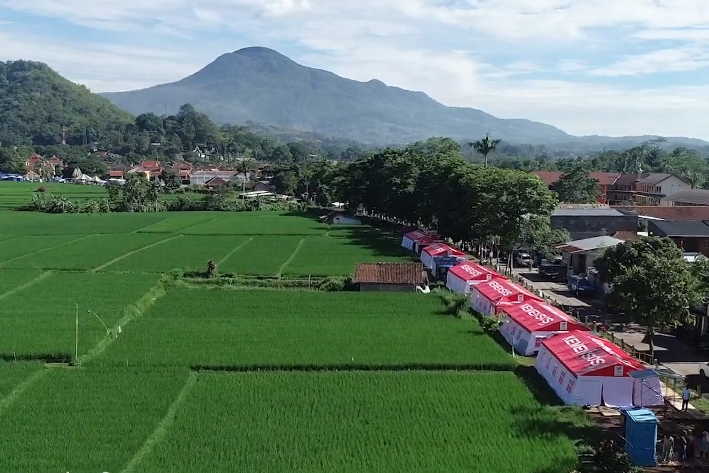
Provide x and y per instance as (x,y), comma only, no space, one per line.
(38,106)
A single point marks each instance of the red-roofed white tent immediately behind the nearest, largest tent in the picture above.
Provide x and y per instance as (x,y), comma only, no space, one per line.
(526,325)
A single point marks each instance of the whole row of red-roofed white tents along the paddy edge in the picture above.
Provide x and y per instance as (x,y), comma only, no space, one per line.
(581,367)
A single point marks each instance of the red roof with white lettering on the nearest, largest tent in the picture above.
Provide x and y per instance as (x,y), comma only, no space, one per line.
(583,353)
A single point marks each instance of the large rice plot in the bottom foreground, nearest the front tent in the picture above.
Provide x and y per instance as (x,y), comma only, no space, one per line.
(355,422)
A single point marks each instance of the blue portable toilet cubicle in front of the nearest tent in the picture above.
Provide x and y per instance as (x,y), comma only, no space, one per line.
(640,434)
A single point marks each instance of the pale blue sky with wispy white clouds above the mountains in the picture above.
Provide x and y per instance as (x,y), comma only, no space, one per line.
(589,67)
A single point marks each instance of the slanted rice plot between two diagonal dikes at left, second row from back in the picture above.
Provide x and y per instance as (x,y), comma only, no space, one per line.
(88,253)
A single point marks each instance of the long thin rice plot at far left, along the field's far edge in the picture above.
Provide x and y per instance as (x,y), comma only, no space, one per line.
(35,223)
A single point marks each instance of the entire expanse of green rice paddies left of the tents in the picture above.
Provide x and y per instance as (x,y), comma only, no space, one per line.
(252,374)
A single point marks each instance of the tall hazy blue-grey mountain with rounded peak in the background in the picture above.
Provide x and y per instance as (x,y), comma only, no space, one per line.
(261,85)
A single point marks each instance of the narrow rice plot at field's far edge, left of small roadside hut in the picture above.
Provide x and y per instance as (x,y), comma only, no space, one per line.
(259,223)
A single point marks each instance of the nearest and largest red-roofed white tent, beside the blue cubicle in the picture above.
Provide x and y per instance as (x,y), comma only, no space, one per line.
(584,369)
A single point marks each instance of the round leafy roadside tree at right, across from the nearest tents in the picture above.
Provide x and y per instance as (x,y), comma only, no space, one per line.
(651,282)
